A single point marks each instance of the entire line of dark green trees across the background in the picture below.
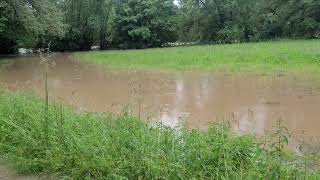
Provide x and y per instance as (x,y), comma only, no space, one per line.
(79,24)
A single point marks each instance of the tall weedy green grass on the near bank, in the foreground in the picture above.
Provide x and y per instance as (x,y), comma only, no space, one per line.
(83,145)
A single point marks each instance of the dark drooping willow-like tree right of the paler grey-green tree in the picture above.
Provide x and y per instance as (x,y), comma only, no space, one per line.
(88,24)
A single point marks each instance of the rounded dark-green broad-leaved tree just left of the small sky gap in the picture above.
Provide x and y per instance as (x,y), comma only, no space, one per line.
(142,24)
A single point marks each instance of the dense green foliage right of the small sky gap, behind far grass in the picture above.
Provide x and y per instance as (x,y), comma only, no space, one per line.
(245,20)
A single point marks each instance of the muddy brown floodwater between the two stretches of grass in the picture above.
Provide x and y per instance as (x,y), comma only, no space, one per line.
(254,102)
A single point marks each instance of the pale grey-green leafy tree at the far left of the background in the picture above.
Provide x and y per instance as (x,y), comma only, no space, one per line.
(23,23)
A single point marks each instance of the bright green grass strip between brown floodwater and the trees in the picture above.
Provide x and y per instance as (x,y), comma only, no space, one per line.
(263,57)
